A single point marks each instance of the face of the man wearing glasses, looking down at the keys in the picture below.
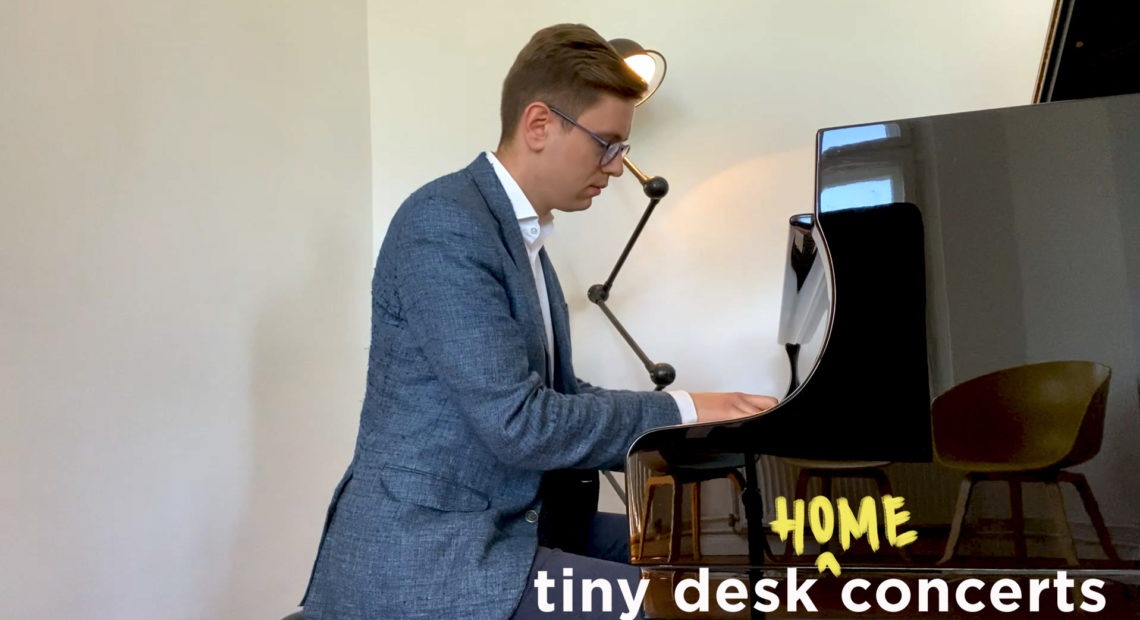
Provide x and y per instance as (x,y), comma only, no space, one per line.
(573,175)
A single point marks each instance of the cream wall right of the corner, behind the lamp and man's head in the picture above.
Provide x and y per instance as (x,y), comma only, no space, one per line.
(732,129)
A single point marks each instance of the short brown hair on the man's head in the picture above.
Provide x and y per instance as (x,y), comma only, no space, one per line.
(568,67)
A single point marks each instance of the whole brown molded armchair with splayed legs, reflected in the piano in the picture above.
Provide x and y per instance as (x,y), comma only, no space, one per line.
(1025,425)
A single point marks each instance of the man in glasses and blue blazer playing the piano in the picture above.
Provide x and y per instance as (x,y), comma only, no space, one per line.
(476,466)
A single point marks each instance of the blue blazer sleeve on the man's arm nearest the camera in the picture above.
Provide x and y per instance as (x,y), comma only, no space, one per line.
(452,284)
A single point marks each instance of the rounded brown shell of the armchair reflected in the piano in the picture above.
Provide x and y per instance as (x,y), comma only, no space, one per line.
(1033,418)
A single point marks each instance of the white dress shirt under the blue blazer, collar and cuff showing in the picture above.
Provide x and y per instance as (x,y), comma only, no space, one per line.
(535,233)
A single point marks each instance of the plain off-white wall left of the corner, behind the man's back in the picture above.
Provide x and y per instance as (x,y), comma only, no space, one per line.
(184,293)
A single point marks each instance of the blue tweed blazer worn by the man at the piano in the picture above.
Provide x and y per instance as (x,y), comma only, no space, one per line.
(435,516)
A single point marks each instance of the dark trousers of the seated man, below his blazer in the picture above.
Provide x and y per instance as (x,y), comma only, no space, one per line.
(607,558)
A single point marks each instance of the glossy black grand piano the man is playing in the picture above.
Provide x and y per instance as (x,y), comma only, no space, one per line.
(940,249)
